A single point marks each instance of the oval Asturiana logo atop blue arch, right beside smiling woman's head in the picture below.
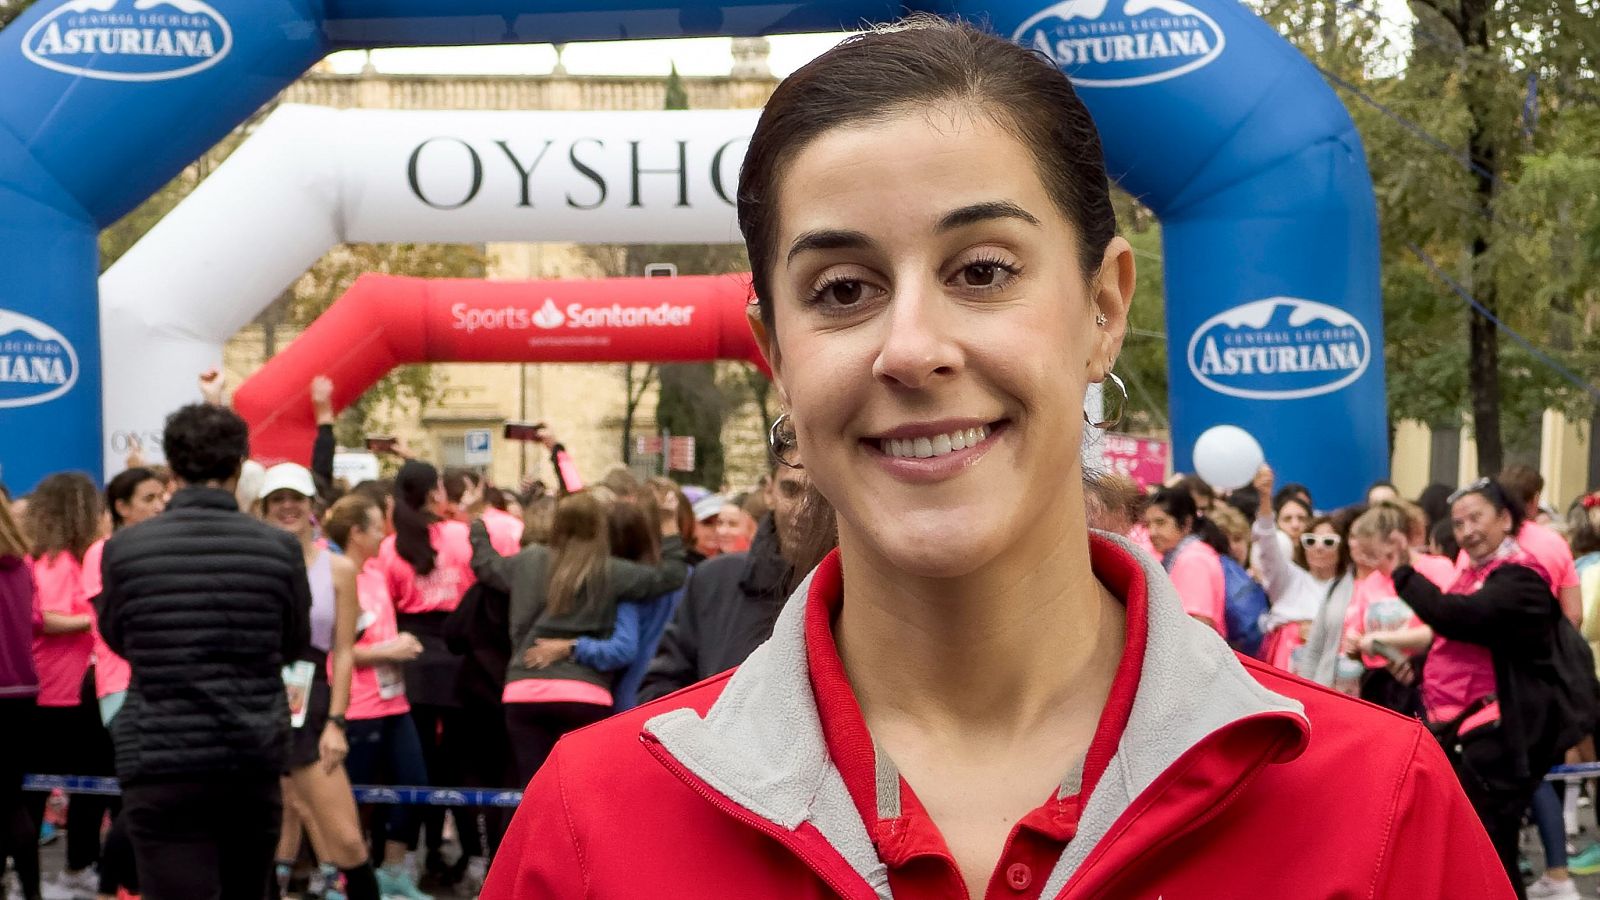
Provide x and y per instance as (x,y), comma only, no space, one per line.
(1150,41)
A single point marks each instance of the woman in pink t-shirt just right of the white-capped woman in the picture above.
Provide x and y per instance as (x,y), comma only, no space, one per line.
(385,745)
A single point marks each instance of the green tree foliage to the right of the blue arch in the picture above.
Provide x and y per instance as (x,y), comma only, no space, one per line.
(1482,132)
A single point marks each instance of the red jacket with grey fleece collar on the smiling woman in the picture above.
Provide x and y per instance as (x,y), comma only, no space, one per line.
(1231,779)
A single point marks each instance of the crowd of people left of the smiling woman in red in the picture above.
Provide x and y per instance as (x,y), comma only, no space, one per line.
(423,630)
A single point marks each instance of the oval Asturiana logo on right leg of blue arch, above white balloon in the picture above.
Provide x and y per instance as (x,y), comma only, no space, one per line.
(1281,348)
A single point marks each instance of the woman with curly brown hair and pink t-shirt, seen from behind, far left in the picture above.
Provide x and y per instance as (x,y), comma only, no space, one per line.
(65,521)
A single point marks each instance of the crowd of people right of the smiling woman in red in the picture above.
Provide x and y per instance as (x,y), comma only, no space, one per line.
(1462,609)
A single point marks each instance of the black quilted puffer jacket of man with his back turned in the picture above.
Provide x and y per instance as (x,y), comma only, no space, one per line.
(206,605)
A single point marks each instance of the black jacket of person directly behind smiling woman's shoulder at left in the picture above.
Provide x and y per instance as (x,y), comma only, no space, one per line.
(729,611)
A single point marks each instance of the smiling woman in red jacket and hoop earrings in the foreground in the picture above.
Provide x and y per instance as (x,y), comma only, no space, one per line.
(974,696)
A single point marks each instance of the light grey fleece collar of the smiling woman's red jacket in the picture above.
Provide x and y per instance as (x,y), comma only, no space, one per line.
(762,745)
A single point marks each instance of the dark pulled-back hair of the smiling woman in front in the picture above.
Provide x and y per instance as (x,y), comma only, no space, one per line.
(918,63)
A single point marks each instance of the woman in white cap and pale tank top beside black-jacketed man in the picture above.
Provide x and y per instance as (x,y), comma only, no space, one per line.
(319,685)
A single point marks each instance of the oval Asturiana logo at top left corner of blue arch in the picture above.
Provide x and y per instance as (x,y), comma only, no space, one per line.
(130,41)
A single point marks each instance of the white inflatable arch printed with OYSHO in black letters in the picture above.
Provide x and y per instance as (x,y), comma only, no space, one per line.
(311,179)
